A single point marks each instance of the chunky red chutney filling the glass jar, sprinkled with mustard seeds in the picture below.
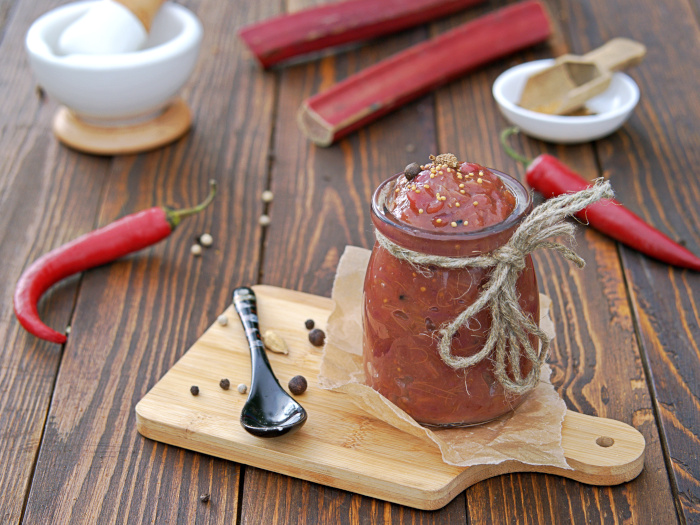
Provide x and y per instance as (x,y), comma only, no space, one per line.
(457,210)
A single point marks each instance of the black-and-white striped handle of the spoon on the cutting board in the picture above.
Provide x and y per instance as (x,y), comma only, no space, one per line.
(245,303)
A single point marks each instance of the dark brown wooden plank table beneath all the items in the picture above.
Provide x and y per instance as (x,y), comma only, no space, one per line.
(628,328)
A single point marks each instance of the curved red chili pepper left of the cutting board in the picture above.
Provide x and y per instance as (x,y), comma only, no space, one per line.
(126,235)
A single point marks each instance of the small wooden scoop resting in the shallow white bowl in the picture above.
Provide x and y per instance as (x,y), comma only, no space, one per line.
(568,84)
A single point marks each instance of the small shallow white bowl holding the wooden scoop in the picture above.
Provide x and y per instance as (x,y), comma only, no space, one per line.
(611,108)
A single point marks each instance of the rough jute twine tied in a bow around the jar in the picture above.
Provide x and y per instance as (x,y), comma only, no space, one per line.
(510,327)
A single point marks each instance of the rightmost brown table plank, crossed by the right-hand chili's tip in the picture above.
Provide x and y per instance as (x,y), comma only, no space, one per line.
(653,165)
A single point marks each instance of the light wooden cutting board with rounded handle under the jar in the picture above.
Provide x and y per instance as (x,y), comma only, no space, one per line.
(340,445)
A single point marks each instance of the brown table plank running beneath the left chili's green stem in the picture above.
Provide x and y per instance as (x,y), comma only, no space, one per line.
(135,317)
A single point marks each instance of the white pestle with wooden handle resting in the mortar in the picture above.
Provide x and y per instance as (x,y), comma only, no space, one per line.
(110,27)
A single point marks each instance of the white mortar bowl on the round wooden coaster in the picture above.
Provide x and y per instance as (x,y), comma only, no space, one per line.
(110,89)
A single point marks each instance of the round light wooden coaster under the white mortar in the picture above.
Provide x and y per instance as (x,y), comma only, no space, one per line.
(167,127)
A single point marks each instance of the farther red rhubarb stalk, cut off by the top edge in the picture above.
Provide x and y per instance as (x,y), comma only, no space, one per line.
(293,34)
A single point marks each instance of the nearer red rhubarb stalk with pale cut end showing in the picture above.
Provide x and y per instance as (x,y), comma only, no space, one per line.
(385,86)
